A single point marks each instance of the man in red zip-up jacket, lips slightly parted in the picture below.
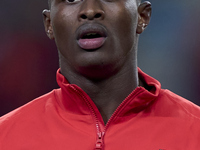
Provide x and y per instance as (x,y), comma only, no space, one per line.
(105,102)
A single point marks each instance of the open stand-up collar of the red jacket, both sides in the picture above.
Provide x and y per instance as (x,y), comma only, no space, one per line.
(74,99)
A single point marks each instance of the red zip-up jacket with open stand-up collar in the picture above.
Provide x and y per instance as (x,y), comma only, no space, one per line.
(67,119)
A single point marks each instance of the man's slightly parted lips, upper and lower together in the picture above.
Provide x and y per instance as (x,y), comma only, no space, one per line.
(91,43)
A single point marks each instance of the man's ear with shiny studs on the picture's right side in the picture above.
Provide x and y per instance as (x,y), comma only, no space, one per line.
(144,15)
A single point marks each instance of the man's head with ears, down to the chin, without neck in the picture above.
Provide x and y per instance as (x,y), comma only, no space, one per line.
(96,38)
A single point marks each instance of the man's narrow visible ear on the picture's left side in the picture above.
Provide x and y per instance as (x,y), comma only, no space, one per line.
(47,23)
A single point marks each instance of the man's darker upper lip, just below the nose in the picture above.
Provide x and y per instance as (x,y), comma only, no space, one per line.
(91,28)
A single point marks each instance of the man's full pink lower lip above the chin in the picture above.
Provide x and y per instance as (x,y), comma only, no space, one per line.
(90,44)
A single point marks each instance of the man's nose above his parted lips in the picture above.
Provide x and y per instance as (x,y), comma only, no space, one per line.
(91,10)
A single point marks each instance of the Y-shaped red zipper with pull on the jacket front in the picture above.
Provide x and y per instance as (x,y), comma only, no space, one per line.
(100,133)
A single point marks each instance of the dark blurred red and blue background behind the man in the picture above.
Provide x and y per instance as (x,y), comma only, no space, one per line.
(168,50)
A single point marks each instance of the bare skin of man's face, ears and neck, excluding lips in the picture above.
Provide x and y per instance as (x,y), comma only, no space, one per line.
(107,74)
